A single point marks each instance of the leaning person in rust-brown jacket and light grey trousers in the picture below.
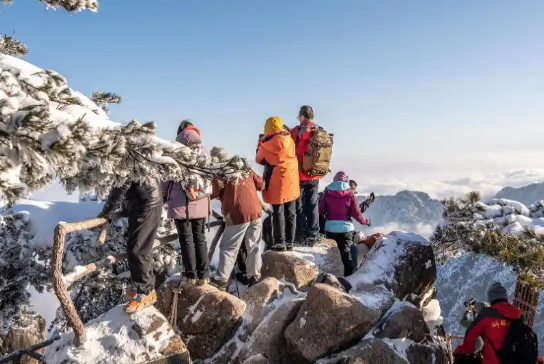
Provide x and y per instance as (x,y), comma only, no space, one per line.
(241,210)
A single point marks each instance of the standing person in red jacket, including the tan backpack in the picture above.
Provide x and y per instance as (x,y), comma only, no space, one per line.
(314,160)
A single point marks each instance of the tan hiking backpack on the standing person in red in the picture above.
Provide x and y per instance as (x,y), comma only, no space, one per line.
(316,160)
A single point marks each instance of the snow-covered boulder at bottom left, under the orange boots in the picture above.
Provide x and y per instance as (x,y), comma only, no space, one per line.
(117,337)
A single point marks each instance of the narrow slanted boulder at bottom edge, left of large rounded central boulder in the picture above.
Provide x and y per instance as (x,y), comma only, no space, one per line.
(268,340)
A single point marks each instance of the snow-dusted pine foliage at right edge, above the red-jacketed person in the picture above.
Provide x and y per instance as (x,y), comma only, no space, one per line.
(503,229)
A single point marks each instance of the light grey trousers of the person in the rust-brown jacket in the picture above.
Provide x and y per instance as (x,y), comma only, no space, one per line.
(233,237)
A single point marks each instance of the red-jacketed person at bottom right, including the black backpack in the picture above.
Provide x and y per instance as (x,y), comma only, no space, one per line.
(506,338)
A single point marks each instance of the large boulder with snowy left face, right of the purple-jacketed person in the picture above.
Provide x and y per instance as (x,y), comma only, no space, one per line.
(402,262)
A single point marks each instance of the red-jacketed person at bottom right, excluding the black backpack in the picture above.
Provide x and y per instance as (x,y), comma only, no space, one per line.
(491,324)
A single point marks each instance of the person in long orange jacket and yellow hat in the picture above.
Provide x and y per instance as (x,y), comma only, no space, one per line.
(276,152)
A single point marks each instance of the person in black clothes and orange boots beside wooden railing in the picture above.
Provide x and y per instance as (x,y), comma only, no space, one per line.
(142,203)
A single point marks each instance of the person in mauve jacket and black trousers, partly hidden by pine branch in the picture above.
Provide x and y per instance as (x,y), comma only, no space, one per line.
(189,206)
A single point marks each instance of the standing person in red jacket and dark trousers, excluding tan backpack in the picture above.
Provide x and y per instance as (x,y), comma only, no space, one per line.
(307,204)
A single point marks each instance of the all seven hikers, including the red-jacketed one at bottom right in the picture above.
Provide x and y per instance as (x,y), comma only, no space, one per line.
(294,162)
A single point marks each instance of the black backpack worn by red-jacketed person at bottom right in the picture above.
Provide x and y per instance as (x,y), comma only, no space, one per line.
(520,345)
